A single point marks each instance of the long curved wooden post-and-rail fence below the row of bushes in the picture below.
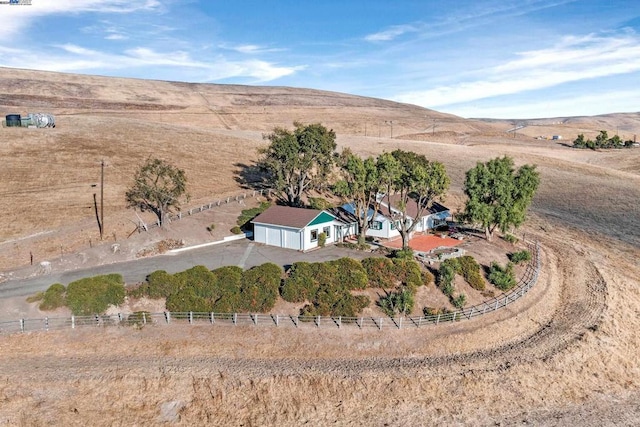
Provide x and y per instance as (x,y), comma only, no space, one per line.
(526,282)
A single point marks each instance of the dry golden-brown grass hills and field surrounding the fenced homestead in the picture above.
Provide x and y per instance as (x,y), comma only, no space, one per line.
(566,354)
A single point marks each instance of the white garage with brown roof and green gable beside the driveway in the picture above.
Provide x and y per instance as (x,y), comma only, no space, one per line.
(298,228)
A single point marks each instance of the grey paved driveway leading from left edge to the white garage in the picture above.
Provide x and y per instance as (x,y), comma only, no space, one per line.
(242,253)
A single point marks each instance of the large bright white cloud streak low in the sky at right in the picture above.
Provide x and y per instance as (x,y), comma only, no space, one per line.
(572,59)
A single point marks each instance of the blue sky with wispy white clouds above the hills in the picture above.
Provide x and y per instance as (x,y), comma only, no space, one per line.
(473,58)
